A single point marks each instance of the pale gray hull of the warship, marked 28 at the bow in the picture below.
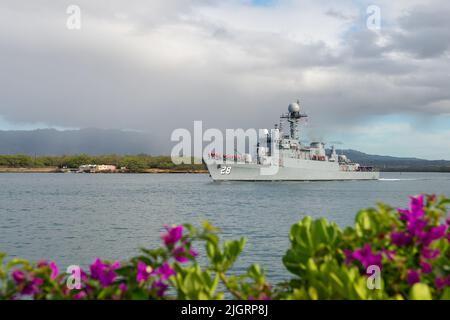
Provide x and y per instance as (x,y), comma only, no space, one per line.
(304,170)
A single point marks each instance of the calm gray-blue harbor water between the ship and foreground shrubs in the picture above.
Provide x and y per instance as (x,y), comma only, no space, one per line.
(73,218)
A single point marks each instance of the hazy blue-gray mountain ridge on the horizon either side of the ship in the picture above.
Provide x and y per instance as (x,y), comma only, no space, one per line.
(114,141)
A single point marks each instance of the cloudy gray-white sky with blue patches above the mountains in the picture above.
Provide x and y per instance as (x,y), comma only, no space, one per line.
(159,65)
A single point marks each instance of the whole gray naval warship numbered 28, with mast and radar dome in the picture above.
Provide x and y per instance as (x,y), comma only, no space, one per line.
(284,157)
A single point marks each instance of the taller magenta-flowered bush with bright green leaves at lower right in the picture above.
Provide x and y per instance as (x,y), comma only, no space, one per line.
(409,246)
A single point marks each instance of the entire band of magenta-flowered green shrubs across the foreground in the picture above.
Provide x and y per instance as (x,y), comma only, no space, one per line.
(388,254)
